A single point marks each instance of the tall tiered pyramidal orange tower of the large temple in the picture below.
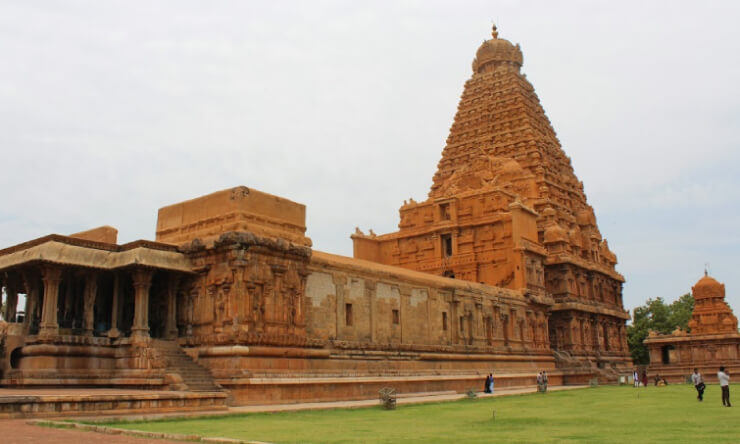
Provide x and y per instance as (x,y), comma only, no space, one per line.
(506,209)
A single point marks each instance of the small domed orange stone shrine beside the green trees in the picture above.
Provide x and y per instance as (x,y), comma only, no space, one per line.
(712,340)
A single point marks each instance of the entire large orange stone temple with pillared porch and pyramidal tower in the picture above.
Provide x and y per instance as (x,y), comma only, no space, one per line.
(501,269)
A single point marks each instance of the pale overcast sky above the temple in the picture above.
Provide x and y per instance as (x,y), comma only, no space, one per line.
(112,109)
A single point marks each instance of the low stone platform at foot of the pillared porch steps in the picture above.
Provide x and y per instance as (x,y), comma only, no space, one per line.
(15,403)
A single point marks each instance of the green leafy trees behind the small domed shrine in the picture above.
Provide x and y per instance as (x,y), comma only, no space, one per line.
(657,316)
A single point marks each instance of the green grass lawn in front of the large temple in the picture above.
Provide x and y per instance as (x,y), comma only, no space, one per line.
(600,415)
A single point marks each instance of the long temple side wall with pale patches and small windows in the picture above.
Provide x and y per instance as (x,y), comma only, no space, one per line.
(358,301)
